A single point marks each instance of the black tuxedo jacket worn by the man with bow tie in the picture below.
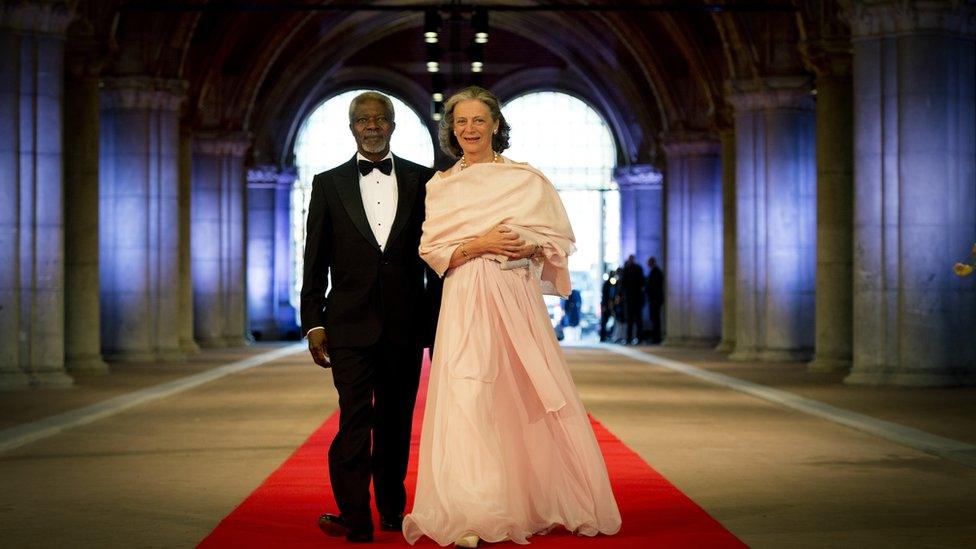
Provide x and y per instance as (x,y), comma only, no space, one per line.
(375,294)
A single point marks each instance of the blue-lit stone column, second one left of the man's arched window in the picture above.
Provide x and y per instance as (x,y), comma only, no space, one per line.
(217,246)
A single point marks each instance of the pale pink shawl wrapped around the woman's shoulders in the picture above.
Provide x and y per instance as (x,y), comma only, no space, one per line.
(469,203)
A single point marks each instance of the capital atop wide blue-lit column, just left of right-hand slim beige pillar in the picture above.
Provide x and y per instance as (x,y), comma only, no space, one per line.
(783,92)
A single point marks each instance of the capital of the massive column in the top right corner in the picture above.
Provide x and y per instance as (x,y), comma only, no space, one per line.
(872,18)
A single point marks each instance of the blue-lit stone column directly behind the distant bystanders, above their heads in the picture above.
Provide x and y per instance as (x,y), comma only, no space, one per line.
(641,211)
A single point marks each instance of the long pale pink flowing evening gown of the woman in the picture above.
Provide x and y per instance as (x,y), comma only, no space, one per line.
(506,450)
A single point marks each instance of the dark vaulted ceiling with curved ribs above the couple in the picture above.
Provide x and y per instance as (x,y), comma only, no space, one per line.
(653,69)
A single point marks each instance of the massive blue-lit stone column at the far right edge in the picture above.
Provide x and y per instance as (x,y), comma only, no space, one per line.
(915,197)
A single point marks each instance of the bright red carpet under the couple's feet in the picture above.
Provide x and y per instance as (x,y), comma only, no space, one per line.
(282,512)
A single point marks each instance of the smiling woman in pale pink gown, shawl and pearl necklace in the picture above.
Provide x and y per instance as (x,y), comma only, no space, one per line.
(507,450)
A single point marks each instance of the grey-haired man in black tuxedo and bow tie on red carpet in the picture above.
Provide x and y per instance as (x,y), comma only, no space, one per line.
(364,225)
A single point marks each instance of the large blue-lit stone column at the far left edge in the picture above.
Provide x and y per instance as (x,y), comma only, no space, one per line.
(31,194)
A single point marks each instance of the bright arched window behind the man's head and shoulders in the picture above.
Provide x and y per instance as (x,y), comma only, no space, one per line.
(325,141)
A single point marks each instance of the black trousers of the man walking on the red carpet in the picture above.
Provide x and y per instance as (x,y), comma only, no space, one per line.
(377,388)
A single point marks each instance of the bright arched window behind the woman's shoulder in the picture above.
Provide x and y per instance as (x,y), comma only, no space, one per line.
(570,142)
